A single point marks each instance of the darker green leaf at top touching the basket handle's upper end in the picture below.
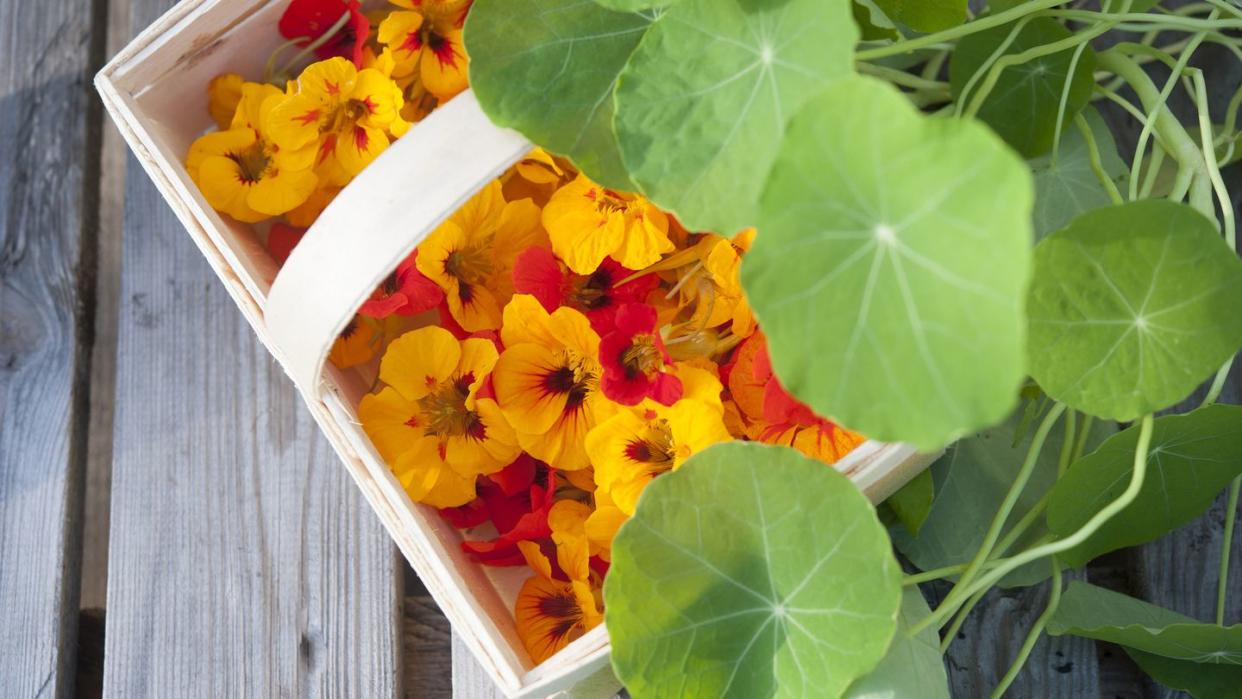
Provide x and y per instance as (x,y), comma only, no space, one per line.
(548,70)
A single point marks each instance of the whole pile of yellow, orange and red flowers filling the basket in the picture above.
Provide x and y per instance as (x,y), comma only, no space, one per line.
(587,343)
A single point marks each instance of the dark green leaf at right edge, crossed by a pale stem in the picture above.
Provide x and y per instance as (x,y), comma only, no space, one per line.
(1192,459)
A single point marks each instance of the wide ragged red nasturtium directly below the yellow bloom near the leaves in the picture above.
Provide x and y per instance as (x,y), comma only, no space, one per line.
(599,295)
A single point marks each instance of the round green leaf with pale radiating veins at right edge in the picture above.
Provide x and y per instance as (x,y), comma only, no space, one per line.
(1133,307)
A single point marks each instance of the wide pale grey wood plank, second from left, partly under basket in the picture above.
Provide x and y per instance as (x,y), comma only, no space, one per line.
(243,561)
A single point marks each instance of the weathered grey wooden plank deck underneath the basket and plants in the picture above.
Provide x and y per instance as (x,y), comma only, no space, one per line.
(171,522)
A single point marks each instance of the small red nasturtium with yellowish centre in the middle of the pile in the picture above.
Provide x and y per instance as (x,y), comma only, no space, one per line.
(637,366)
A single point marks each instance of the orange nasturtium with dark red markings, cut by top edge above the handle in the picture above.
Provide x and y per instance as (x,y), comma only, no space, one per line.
(428,42)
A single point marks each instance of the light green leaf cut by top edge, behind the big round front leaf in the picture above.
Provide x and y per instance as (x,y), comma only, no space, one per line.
(704,101)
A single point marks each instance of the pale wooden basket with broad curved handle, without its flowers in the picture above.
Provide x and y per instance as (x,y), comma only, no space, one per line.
(156,91)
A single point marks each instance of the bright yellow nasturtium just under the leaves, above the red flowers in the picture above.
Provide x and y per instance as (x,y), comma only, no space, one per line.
(588,224)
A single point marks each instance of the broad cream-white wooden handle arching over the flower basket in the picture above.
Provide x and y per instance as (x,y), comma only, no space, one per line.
(376,223)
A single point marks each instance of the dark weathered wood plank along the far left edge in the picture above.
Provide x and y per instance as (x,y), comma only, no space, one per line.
(49,174)
